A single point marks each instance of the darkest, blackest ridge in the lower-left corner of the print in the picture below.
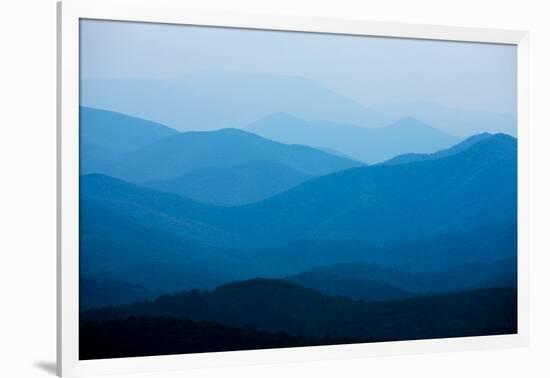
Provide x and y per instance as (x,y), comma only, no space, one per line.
(154,336)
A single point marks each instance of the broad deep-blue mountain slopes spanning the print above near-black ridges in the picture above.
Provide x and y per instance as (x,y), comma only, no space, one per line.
(455,210)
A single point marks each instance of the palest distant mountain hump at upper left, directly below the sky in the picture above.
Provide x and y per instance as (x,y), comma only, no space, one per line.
(217,100)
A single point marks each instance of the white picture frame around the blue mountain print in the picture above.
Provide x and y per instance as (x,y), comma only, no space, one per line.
(69,14)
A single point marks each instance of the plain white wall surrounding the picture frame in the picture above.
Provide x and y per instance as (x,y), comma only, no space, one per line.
(27,200)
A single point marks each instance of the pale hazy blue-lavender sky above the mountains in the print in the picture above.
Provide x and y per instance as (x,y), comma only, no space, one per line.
(372,70)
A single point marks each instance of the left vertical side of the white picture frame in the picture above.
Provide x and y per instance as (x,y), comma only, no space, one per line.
(68,15)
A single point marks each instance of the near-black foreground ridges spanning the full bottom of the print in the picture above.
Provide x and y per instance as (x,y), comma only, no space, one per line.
(262,313)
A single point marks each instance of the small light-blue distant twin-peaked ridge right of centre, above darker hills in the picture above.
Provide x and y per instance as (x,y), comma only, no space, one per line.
(369,145)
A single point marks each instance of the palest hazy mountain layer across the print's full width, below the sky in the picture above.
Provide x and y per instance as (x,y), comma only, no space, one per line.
(215,100)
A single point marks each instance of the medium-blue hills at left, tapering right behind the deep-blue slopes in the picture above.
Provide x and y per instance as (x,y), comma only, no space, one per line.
(225,167)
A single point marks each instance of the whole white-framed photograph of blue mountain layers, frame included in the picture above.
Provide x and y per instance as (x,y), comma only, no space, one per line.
(246,188)
